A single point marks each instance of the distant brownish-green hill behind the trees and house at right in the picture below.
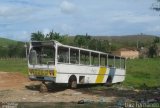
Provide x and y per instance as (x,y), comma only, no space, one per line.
(129,40)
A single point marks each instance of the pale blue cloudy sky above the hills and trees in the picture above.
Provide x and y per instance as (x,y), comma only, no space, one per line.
(19,18)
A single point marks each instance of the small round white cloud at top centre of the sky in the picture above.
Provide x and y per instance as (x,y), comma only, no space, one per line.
(67,7)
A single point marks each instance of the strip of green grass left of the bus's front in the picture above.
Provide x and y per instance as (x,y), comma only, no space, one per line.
(14,65)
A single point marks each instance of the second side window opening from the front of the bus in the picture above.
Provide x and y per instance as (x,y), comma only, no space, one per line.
(74,56)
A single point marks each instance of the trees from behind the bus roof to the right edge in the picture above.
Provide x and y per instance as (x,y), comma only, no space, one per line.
(89,42)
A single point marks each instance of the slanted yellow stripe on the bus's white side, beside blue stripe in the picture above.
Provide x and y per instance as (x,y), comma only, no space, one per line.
(100,75)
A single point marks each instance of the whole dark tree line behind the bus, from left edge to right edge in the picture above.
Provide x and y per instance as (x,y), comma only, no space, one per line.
(83,41)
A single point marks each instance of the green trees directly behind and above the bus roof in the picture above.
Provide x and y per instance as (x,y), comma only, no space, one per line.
(82,41)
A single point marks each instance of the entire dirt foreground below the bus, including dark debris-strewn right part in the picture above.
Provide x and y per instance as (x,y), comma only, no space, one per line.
(15,87)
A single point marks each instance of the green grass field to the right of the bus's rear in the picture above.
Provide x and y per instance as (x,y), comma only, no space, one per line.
(143,71)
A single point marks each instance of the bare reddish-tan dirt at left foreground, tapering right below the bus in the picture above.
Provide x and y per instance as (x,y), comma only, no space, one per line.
(15,87)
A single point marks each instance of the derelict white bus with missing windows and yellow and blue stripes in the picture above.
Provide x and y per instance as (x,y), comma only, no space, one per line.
(51,61)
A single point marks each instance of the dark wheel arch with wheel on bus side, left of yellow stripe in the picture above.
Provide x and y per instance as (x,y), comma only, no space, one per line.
(72,82)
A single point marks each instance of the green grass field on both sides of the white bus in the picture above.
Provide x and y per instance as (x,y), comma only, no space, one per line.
(138,72)
